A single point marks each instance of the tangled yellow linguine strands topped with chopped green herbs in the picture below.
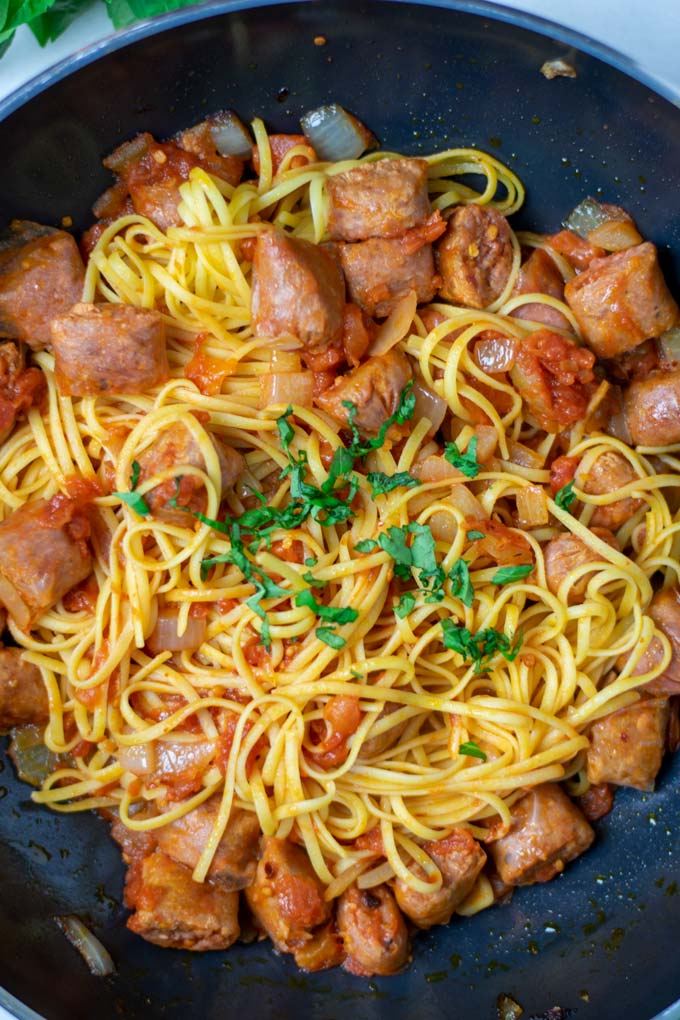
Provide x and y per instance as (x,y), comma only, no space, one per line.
(462,680)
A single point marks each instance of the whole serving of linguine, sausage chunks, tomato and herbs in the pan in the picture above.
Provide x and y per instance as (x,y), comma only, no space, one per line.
(340,533)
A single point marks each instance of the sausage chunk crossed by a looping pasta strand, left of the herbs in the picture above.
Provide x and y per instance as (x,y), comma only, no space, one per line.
(176,450)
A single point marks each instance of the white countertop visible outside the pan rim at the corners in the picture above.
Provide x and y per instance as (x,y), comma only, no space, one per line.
(649,31)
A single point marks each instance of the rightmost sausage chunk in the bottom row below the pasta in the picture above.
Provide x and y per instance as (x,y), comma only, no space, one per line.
(547,832)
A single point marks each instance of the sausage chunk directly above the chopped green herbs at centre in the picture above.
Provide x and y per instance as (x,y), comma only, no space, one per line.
(374,388)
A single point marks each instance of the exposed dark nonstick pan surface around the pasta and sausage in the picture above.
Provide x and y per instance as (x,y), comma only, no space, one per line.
(600,942)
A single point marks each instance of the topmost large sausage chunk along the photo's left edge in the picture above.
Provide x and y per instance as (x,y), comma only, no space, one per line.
(41,276)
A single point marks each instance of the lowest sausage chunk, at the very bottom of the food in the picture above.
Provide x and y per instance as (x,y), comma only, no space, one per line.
(377,941)
